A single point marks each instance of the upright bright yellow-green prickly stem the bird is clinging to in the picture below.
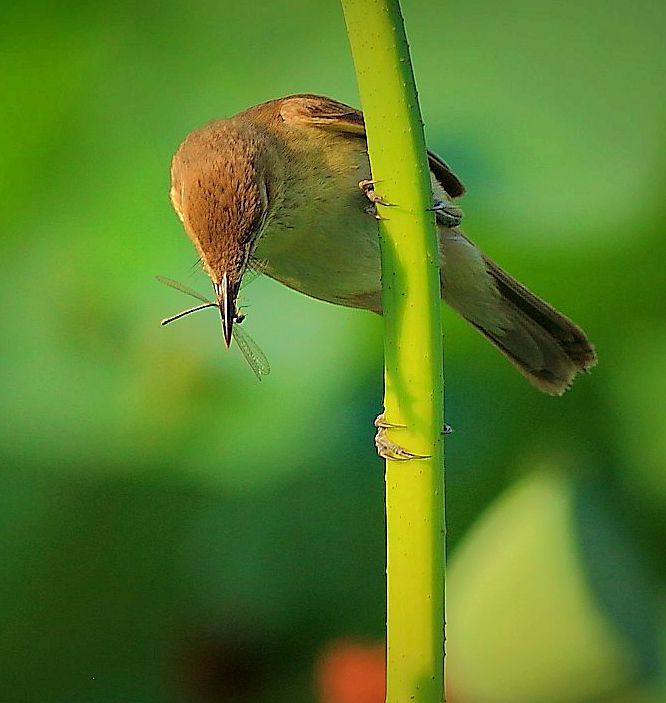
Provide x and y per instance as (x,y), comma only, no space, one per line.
(413,351)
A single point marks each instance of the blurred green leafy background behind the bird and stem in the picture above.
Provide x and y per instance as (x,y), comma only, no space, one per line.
(174,531)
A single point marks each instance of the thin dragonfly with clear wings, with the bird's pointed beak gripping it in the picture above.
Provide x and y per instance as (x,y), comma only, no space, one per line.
(225,294)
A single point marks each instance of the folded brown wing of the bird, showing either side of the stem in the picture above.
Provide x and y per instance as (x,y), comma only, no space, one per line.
(326,113)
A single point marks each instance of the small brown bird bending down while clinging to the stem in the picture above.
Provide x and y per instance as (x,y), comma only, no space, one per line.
(278,185)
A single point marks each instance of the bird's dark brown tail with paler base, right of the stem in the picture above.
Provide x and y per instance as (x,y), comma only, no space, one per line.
(544,345)
